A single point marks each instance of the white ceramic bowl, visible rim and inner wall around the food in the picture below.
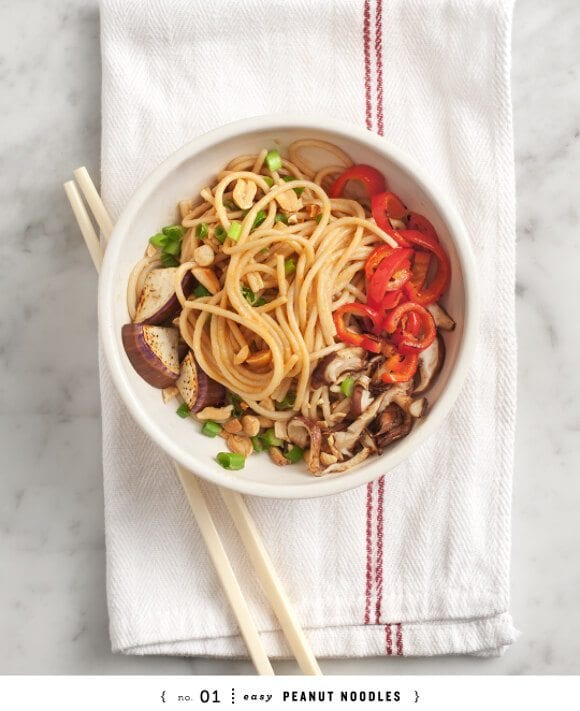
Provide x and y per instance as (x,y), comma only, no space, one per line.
(182,175)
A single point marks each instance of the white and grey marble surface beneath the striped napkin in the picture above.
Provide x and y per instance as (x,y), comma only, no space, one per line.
(52,597)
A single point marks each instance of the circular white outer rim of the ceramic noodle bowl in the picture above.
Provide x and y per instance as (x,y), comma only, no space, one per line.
(325,485)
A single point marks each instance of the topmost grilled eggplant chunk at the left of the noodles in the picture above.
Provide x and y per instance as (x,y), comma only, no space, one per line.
(158,302)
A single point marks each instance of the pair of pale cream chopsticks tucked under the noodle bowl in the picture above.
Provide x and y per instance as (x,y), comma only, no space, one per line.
(234,502)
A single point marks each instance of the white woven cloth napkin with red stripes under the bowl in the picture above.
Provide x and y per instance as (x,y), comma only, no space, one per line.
(416,563)
